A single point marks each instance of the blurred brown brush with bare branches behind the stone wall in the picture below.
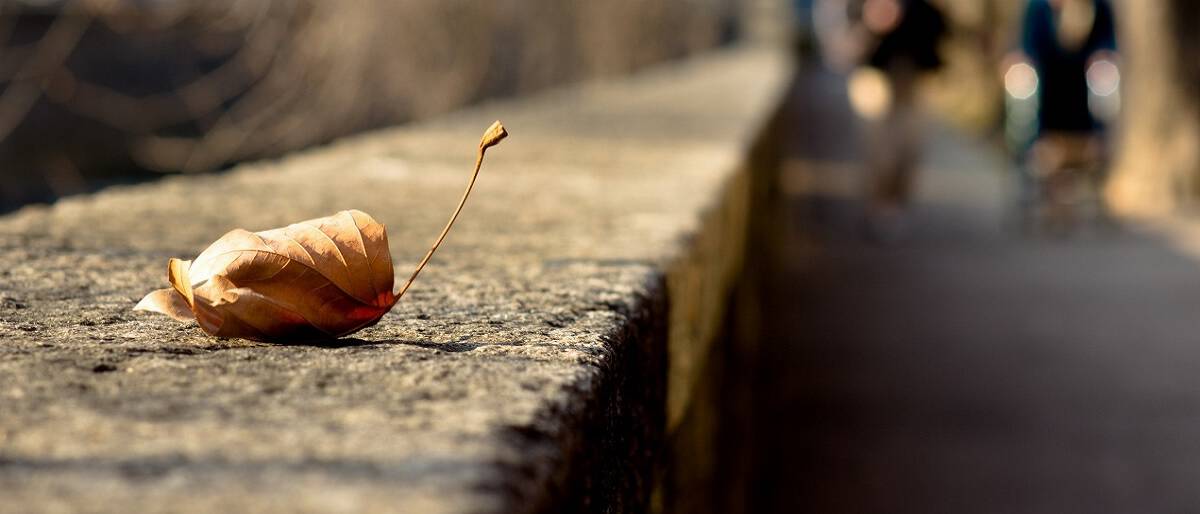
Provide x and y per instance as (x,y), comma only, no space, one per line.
(111,86)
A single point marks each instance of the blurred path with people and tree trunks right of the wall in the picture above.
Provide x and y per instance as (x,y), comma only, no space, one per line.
(976,288)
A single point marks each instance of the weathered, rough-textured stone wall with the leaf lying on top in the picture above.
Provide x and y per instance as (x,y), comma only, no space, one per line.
(524,372)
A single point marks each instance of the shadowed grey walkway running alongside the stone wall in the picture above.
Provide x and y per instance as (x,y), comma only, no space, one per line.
(967,369)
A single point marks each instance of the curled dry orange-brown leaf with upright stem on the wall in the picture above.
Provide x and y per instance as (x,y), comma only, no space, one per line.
(317,279)
